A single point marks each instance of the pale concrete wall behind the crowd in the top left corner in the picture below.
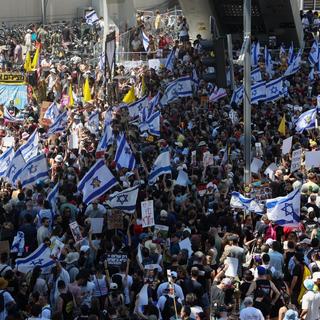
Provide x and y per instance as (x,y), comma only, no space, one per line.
(22,11)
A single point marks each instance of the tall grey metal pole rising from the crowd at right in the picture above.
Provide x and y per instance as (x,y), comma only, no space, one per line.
(247,90)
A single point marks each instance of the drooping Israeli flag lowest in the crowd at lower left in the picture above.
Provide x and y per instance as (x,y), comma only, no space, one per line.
(40,257)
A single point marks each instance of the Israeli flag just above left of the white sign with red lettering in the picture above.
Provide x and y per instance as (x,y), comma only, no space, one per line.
(124,200)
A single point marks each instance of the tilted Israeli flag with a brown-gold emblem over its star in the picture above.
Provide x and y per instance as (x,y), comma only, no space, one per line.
(96,182)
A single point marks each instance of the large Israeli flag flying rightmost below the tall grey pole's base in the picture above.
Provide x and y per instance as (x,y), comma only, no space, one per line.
(285,211)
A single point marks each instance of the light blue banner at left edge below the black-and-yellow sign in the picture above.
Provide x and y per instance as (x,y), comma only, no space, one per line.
(17,93)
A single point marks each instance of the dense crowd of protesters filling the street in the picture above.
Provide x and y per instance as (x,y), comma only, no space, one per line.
(127,271)
